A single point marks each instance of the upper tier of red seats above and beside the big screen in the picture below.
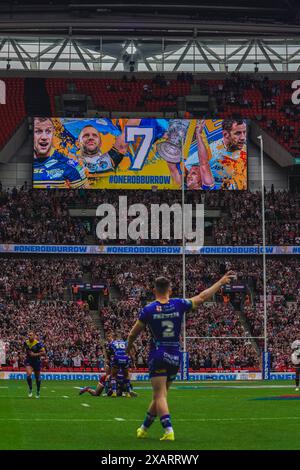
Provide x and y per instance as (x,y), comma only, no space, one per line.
(258,98)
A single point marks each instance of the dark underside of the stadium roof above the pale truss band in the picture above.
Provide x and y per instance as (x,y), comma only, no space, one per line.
(254,12)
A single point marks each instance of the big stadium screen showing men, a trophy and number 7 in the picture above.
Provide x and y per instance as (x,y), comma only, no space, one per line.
(140,153)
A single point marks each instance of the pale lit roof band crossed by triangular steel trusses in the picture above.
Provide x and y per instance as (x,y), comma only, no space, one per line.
(96,54)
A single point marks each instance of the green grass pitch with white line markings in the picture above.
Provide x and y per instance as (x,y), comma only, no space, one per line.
(205,416)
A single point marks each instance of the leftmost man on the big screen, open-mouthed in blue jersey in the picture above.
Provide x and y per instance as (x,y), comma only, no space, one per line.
(51,169)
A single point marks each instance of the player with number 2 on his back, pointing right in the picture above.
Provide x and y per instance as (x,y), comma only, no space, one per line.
(164,317)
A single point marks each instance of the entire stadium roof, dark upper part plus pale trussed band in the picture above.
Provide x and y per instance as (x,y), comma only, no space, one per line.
(197,36)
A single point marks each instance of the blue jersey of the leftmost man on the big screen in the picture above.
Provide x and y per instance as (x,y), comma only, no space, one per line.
(57,171)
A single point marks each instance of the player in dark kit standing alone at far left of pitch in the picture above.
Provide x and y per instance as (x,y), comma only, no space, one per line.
(34,351)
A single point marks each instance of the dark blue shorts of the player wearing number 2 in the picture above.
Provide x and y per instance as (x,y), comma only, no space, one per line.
(164,363)
